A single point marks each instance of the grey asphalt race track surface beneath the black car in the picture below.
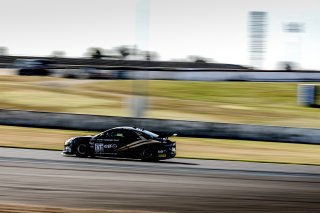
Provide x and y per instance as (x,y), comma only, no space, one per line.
(40,177)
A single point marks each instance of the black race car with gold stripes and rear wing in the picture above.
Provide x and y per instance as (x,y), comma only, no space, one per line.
(123,142)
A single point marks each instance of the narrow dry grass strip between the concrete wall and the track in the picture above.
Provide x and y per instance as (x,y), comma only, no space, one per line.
(257,151)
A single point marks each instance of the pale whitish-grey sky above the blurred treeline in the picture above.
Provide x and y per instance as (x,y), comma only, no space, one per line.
(216,29)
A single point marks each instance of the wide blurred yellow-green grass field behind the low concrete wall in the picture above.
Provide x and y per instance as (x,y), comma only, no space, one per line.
(263,103)
